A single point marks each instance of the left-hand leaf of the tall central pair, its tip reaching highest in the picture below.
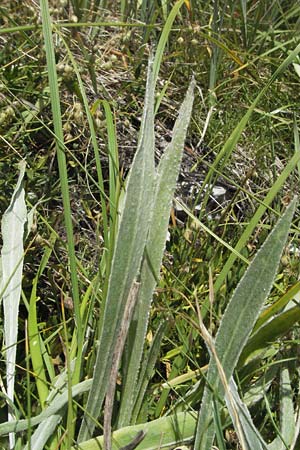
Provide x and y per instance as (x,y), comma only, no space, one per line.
(129,248)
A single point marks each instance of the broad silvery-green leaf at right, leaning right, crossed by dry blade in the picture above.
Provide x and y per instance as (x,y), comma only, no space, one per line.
(239,319)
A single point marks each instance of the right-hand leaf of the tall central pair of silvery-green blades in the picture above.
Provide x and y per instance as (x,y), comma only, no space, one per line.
(168,171)
